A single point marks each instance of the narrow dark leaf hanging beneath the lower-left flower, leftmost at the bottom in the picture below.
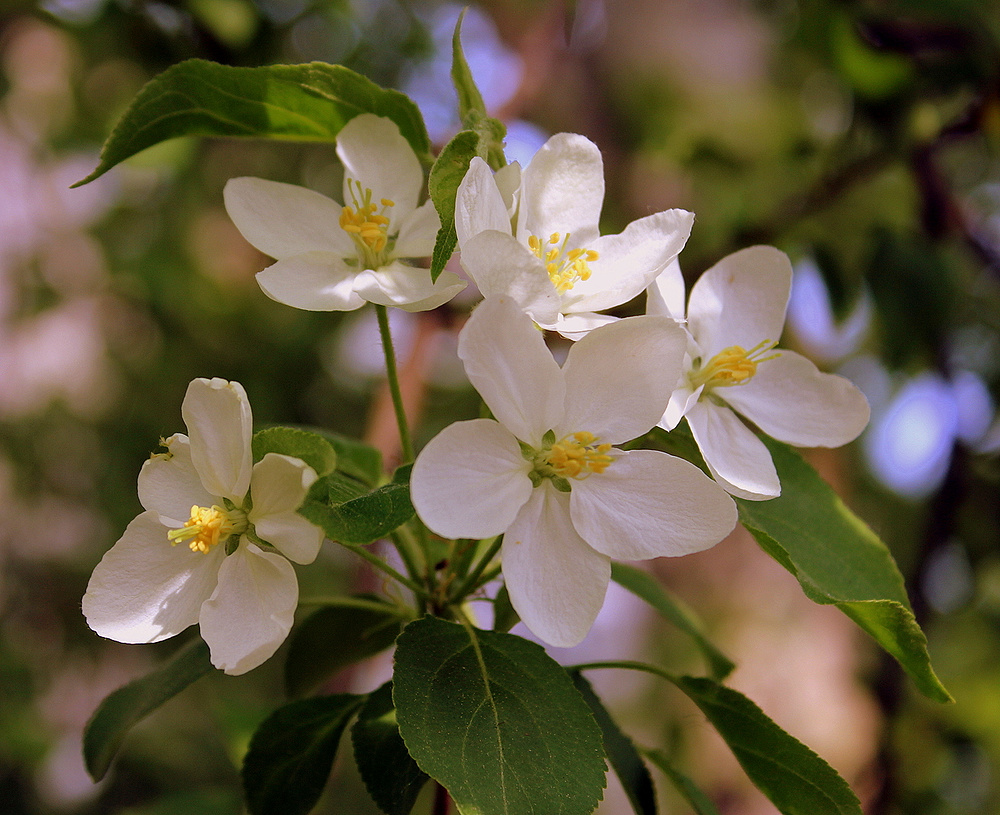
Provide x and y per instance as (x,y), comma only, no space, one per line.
(116,715)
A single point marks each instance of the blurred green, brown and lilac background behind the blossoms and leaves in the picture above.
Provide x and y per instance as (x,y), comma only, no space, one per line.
(860,137)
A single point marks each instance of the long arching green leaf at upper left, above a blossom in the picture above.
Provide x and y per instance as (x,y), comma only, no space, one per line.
(309,102)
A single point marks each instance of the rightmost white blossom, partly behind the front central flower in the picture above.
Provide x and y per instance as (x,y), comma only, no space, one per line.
(735,317)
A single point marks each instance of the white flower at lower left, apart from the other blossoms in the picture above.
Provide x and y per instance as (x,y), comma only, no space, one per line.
(205,498)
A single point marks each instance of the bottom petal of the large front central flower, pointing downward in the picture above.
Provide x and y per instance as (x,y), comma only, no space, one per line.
(555,580)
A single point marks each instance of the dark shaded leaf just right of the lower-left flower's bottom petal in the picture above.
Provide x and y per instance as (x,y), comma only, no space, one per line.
(334,637)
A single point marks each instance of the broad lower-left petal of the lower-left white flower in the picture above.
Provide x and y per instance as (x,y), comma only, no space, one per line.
(144,589)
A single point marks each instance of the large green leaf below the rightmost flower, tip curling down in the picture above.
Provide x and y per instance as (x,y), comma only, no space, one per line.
(838,559)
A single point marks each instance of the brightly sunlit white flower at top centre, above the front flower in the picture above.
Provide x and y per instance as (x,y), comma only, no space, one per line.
(534,237)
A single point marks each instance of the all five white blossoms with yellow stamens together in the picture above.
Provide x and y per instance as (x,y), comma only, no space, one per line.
(545,473)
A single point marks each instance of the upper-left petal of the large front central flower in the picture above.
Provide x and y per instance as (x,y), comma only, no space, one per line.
(507,361)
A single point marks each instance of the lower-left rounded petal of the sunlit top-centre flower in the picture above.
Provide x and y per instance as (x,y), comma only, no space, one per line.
(499,266)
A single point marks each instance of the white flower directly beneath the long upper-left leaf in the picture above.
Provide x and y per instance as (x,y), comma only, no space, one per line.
(332,257)
